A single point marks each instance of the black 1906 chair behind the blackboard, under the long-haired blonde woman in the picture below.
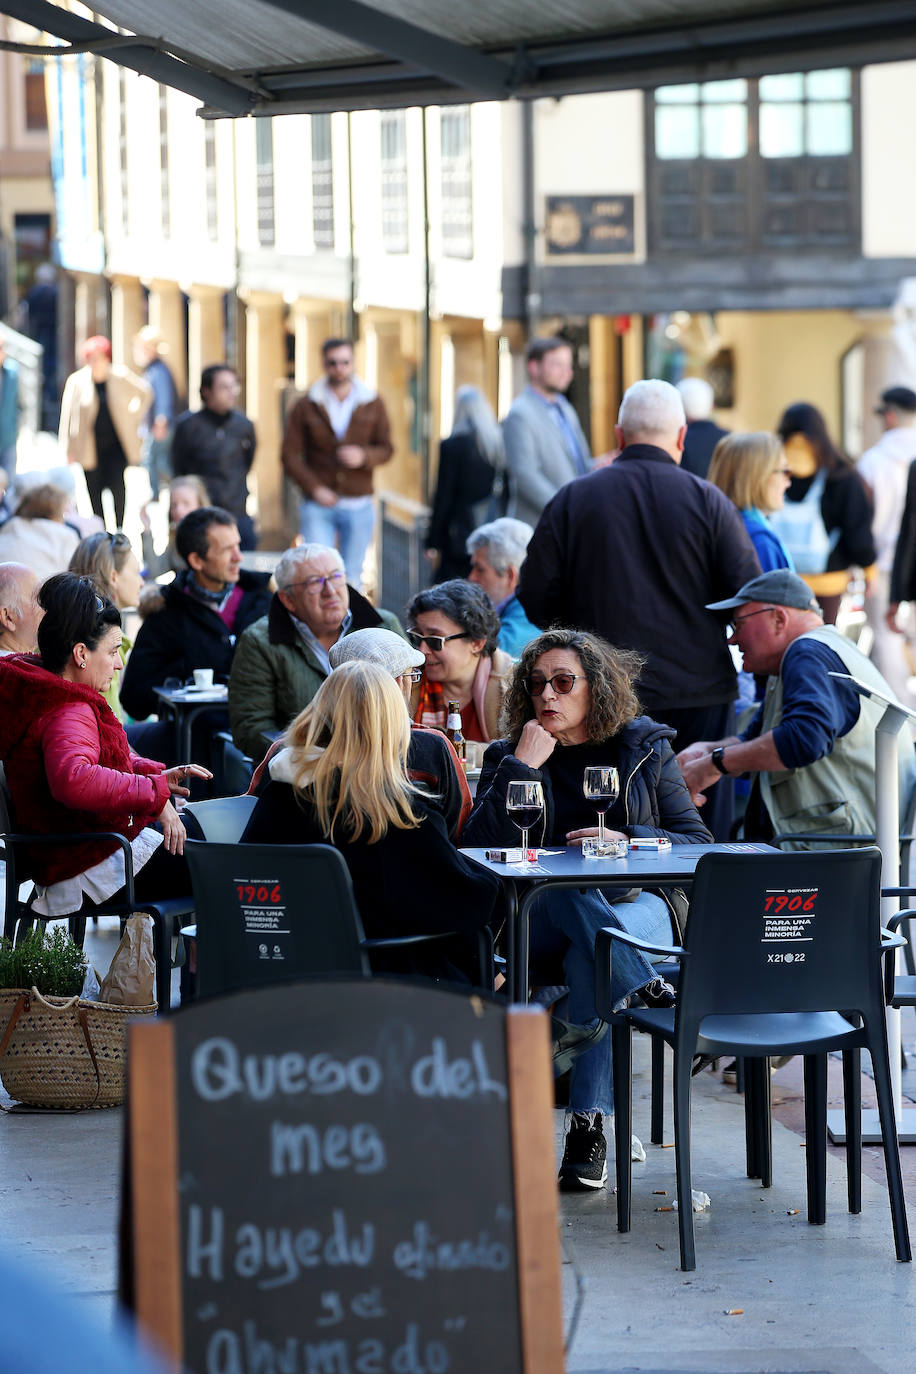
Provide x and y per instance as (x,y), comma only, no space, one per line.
(271,913)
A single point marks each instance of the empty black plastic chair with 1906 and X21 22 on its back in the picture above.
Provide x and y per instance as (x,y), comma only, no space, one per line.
(749,989)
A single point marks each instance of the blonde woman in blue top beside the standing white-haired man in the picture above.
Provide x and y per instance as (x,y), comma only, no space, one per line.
(752,471)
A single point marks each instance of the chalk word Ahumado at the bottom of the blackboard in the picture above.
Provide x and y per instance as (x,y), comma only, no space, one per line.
(249,1354)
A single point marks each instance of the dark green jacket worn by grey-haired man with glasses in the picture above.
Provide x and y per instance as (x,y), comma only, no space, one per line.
(275,674)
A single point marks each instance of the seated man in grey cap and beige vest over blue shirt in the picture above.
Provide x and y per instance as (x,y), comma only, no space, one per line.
(811,747)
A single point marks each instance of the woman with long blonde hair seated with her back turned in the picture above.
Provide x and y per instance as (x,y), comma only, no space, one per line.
(343,780)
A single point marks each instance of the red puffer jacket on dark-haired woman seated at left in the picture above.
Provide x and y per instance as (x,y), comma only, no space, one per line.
(69,769)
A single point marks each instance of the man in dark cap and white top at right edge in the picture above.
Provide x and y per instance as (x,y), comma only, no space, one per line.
(885,469)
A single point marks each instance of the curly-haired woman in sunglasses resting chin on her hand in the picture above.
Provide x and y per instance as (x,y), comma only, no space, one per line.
(572,704)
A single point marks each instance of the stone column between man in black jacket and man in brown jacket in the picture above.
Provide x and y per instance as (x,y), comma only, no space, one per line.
(266,381)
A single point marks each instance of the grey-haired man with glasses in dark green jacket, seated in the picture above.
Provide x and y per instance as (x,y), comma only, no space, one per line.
(282,660)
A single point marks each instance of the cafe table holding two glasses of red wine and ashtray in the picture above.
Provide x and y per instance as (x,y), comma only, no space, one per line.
(568,869)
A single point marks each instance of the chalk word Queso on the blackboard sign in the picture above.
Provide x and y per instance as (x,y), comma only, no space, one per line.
(220,1072)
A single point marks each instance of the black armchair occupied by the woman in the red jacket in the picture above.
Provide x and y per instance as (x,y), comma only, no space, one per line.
(19,917)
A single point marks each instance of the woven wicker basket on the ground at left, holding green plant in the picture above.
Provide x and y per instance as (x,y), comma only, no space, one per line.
(62,1052)
